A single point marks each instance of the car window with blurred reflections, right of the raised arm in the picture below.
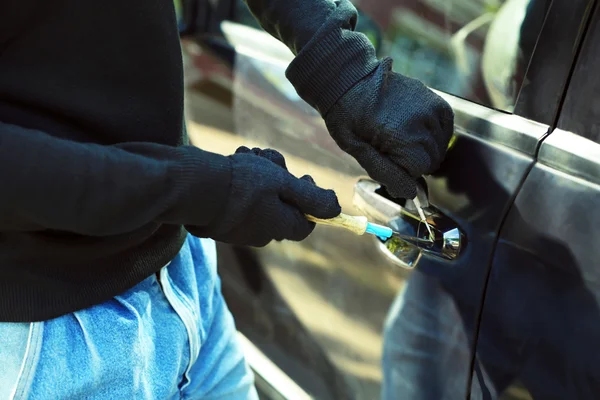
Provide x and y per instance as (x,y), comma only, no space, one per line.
(475,49)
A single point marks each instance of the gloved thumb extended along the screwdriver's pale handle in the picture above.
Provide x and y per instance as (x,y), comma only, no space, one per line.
(310,199)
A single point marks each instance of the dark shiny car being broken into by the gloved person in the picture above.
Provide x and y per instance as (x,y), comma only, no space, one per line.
(504,303)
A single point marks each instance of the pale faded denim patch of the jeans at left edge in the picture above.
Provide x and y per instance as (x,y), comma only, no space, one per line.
(19,352)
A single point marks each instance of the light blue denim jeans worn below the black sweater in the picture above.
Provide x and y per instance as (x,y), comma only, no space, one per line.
(173,339)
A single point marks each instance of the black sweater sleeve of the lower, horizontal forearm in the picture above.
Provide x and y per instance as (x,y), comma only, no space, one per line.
(95,190)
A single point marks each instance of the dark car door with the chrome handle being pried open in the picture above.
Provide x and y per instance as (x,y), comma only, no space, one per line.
(356,311)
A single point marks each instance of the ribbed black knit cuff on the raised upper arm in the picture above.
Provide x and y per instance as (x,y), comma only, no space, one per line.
(333,61)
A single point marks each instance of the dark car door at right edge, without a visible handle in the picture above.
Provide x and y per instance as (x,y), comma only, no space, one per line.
(541,320)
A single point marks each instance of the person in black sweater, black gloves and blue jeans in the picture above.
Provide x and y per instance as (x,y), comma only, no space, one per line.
(108,283)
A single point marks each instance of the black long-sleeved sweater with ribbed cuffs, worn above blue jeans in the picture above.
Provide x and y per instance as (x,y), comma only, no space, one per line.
(96,177)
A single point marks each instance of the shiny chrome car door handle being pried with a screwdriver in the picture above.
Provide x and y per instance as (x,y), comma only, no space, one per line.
(413,240)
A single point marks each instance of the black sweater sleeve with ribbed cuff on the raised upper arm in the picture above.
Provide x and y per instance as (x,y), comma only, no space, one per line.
(330,56)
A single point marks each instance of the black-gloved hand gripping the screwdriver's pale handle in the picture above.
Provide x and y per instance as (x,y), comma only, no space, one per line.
(267,202)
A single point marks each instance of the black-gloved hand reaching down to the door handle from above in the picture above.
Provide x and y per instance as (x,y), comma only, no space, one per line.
(394,126)
